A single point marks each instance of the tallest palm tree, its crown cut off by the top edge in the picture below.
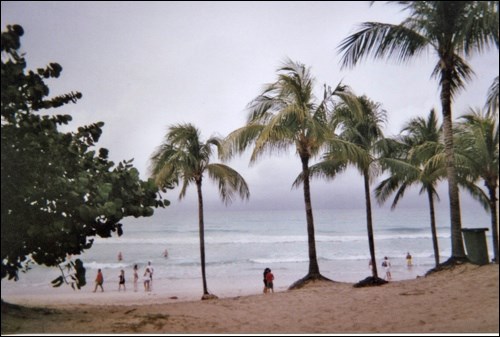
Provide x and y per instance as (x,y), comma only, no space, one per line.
(453,30)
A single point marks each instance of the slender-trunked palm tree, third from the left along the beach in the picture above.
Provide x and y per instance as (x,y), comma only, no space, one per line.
(364,130)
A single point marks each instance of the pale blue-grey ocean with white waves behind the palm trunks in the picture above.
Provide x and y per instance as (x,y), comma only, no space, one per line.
(239,245)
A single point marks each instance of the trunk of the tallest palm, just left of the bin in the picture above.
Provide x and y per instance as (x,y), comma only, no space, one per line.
(457,244)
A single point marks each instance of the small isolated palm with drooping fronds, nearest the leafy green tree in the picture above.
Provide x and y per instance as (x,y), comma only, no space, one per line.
(183,158)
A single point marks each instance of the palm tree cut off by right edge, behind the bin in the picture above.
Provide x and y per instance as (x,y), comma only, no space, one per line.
(477,146)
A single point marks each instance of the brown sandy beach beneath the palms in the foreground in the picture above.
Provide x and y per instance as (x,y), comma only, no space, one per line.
(462,300)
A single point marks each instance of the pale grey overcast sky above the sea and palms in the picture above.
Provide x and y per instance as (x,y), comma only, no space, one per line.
(147,65)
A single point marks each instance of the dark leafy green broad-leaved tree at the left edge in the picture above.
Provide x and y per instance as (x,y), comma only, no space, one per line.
(57,191)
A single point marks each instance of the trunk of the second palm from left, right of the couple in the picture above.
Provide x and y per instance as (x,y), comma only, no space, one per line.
(313,260)
